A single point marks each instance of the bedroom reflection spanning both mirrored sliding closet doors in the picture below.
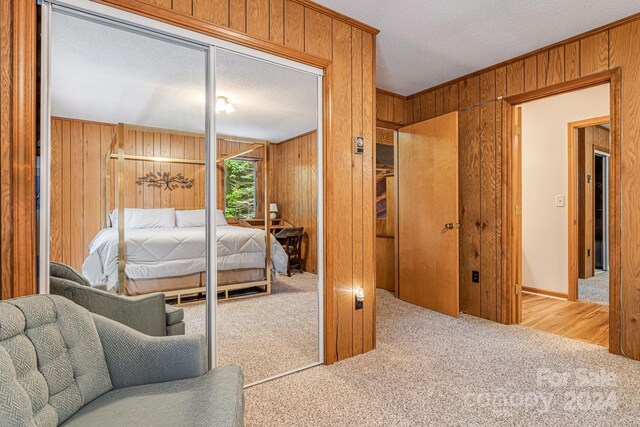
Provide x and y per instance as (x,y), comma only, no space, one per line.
(129,189)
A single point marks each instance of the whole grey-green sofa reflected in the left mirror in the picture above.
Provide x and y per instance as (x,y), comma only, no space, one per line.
(148,314)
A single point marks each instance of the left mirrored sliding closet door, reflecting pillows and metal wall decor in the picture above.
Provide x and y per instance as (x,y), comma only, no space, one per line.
(127,162)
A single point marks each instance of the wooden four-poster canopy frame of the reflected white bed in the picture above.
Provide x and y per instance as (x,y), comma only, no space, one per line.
(116,152)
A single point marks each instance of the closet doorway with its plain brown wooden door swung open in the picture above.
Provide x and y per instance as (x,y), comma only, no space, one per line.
(417,205)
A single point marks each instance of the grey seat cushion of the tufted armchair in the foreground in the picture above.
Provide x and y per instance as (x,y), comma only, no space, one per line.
(214,399)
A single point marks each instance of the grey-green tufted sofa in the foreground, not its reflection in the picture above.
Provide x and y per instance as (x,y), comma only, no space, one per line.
(62,365)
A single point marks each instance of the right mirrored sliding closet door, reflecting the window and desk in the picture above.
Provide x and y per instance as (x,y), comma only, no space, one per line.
(266,132)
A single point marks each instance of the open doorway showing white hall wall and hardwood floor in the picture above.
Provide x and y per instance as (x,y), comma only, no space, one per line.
(561,175)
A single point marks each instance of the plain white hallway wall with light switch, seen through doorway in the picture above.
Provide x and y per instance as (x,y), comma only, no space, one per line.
(545,164)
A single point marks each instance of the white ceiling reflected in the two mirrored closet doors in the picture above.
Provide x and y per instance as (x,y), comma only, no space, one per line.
(109,75)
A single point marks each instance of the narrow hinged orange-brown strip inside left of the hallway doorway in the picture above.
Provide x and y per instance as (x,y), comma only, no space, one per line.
(516,197)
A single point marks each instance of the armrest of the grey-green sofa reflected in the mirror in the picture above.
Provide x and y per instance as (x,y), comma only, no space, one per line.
(144,313)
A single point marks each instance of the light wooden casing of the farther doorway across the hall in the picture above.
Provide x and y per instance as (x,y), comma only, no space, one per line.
(572,201)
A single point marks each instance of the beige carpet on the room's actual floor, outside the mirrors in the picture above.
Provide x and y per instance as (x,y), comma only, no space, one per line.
(430,369)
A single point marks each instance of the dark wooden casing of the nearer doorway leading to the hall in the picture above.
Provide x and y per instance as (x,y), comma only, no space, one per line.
(614,78)
